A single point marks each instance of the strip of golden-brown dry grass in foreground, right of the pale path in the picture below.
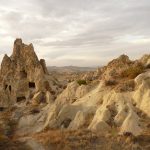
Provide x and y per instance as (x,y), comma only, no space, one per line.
(83,140)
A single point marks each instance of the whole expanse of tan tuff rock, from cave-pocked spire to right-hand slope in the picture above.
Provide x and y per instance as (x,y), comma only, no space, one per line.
(32,101)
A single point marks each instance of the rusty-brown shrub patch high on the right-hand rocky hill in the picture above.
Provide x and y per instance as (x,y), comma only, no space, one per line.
(132,71)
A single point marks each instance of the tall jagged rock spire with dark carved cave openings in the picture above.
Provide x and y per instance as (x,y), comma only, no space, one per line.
(22,74)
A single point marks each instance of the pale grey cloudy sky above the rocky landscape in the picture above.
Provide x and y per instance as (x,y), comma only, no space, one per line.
(77,32)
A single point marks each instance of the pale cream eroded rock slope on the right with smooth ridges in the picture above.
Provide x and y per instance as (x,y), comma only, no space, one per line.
(107,108)
